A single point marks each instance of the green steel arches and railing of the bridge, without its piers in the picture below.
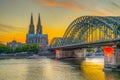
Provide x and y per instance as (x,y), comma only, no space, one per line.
(90,29)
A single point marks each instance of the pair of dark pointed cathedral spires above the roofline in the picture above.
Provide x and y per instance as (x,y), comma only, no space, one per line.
(31,27)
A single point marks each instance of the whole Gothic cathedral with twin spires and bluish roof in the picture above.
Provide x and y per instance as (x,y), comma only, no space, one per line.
(38,37)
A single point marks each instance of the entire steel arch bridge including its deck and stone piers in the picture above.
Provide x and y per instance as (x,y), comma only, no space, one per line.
(91,31)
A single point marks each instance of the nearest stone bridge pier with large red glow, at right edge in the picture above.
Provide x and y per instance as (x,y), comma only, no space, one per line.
(112,59)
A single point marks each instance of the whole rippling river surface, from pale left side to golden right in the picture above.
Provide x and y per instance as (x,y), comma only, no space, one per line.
(48,69)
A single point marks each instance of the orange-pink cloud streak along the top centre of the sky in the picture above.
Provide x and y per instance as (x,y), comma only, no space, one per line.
(67,4)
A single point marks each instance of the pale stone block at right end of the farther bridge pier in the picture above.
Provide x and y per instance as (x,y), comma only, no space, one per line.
(80,53)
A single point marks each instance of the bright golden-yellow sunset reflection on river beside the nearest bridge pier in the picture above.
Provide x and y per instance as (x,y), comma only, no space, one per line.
(92,69)
